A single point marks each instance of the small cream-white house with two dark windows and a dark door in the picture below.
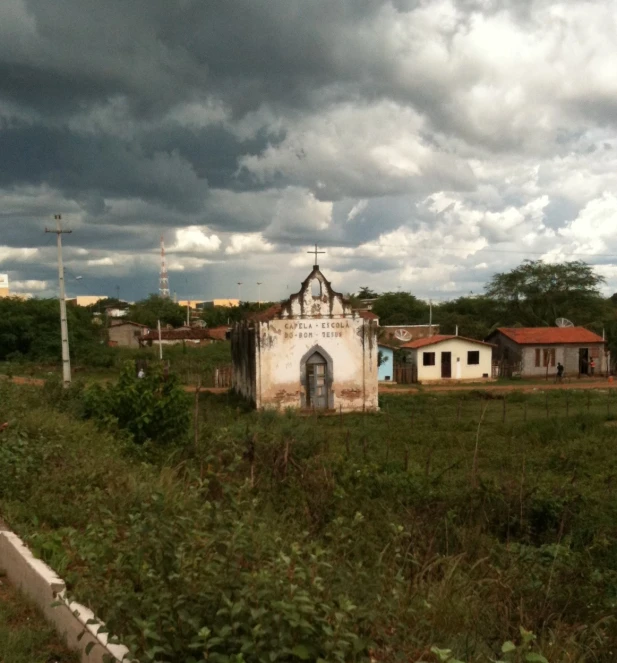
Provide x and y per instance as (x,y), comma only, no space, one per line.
(445,357)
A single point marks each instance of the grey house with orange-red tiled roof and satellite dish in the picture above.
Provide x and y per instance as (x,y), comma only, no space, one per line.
(536,351)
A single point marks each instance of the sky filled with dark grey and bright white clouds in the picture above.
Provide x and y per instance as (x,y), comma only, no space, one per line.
(424,144)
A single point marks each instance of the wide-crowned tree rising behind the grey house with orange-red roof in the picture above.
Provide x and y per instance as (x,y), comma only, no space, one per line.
(536,293)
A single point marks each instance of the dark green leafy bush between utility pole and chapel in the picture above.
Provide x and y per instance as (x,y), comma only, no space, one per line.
(154,407)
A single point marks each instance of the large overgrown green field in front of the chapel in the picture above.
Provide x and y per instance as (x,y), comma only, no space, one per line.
(461,522)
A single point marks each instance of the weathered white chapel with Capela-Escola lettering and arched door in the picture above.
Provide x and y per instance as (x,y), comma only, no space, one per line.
(308,352)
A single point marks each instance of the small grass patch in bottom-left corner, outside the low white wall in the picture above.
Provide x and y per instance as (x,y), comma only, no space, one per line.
(25,637)
